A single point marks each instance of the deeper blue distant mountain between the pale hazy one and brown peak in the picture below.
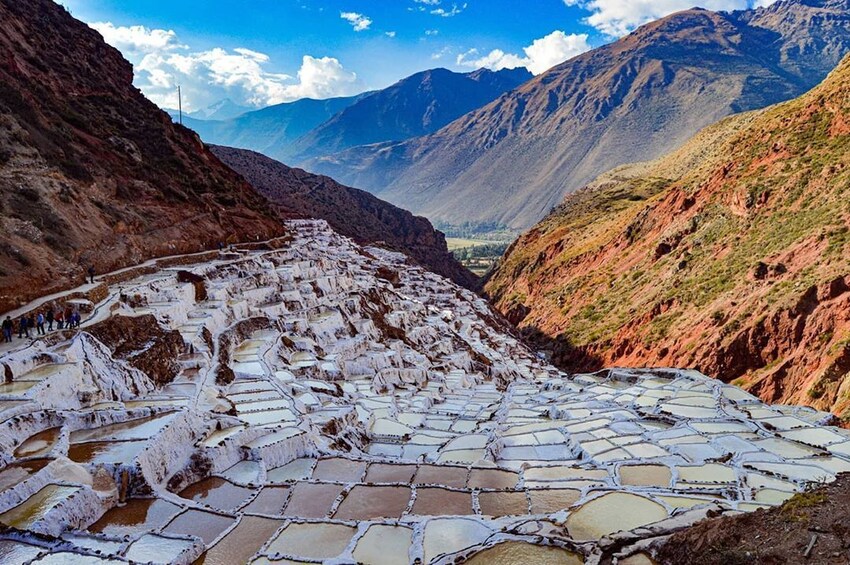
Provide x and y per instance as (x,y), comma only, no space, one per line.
(415,106)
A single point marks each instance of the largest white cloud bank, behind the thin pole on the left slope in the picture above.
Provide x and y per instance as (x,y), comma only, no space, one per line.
(162,62)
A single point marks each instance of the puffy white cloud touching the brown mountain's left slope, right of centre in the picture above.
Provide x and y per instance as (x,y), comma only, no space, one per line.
(543,54)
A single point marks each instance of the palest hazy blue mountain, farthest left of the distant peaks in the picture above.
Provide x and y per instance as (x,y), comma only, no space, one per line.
(270,130)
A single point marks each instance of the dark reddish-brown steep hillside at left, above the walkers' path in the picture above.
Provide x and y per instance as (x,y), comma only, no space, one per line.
(91,172)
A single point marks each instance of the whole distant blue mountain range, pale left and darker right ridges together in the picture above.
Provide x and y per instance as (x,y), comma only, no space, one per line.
(417,105)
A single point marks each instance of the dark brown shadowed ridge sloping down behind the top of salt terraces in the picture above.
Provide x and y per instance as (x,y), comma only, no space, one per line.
(351,212)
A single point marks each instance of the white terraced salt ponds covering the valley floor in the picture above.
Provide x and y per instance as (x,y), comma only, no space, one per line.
(329,402)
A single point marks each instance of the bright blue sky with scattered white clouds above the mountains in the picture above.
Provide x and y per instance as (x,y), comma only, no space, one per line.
(262,52)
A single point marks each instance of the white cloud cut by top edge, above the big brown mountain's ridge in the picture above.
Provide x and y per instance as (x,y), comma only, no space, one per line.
(619,17)
